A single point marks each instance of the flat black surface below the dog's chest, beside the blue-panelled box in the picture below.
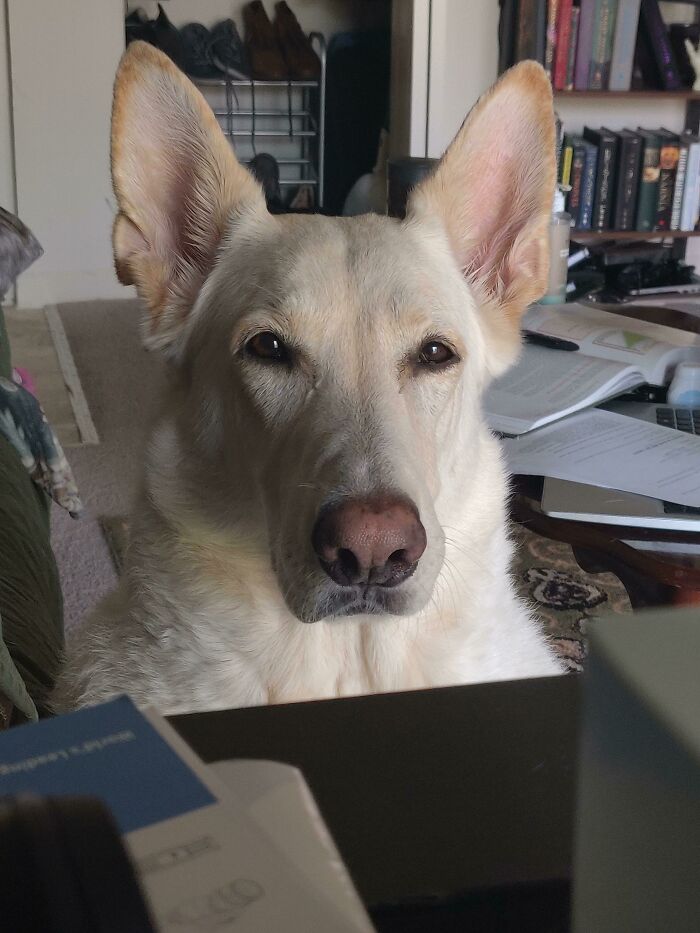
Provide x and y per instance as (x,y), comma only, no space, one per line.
(447,805)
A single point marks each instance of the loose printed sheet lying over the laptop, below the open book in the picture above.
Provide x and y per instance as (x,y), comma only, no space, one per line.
(602,448)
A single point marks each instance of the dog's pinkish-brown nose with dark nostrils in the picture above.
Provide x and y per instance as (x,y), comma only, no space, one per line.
(377,540)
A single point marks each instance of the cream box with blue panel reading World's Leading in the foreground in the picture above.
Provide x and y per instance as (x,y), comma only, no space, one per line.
(193,832)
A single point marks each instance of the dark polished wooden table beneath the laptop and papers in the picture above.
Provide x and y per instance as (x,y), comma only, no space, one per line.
(651,578)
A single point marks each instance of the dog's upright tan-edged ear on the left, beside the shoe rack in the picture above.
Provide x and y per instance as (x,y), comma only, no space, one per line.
(178,186)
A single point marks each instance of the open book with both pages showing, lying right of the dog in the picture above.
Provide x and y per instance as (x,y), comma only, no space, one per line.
(615,354)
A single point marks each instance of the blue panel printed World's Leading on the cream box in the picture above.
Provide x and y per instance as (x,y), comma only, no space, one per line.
(109,751)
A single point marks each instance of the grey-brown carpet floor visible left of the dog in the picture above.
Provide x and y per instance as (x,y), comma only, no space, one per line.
(122,383)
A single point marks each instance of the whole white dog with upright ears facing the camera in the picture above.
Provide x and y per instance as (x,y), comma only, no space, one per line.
(323,509)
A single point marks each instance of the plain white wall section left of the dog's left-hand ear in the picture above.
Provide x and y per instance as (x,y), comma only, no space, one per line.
(64,55)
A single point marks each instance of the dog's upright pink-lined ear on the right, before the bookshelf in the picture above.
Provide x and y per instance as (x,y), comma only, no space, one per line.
(493,190)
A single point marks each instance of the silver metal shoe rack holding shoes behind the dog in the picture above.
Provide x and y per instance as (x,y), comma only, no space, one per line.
(251,111)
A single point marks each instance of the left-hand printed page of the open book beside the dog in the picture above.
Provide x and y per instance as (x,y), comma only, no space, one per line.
(545,385)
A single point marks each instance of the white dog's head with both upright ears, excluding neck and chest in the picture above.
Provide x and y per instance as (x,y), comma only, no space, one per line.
(330,369)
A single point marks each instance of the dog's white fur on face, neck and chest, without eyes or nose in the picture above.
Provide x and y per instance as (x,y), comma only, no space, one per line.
(223,602)
